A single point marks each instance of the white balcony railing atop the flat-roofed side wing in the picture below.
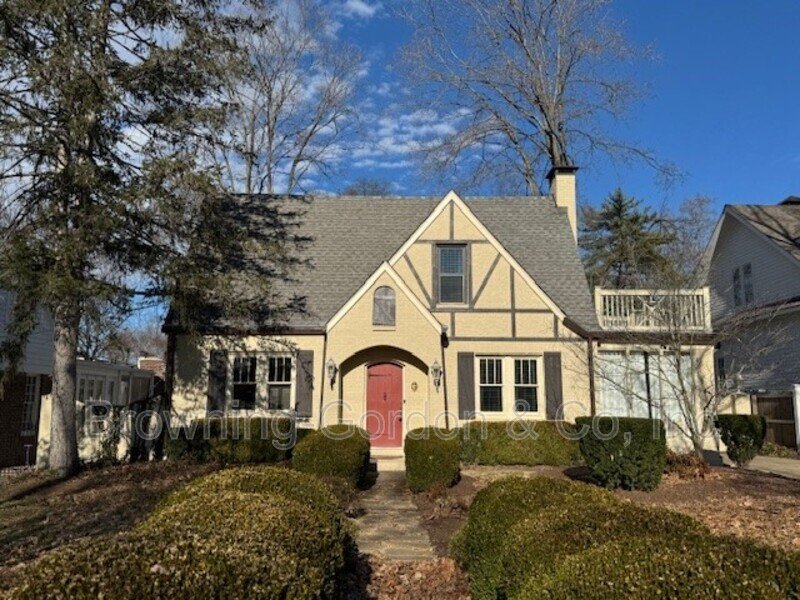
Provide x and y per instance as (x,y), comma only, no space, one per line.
(654,310)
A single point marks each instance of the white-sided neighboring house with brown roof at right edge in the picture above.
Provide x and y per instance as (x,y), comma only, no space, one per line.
(754,276)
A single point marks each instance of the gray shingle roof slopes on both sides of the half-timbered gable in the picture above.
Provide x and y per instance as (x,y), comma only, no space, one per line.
(353,235)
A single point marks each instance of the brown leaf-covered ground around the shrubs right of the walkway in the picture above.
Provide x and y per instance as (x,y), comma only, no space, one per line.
(729,501)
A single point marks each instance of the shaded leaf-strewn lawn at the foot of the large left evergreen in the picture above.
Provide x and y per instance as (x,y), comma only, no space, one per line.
(39,512)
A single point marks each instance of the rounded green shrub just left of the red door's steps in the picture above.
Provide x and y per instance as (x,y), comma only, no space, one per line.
(336,451)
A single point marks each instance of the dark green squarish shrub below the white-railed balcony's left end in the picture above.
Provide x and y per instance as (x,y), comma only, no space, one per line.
(633,459)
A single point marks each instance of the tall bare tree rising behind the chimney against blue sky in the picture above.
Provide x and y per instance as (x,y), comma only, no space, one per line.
(531,84)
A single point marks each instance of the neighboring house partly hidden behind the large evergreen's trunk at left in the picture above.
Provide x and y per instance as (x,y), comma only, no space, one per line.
(25,407)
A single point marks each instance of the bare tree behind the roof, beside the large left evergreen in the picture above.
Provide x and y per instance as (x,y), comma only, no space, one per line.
(292,107)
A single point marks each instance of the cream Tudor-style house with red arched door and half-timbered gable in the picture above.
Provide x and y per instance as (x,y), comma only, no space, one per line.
(429,311)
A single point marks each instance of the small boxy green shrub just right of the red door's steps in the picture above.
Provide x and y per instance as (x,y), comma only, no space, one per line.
(433,458)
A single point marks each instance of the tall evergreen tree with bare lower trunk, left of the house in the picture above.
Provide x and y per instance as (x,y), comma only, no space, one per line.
(105,107)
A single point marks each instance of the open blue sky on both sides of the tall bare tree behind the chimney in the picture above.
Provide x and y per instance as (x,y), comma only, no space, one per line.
(723,101)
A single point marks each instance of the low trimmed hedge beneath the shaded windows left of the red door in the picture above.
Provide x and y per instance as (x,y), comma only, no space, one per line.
(234,440)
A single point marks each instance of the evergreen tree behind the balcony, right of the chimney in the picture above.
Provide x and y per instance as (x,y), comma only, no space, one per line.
(624,244)
